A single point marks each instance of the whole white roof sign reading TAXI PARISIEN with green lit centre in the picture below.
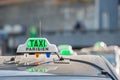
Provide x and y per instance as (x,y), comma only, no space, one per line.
(36,45)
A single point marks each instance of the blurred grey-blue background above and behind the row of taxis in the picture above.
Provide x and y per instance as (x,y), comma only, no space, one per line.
(79,23)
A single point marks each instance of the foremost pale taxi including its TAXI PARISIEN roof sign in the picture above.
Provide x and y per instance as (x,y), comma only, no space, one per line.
(54,67)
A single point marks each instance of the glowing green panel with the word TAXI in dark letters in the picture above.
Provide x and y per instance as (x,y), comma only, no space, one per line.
(37,43)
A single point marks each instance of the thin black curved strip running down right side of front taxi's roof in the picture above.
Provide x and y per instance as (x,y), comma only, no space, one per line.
(103,71)
